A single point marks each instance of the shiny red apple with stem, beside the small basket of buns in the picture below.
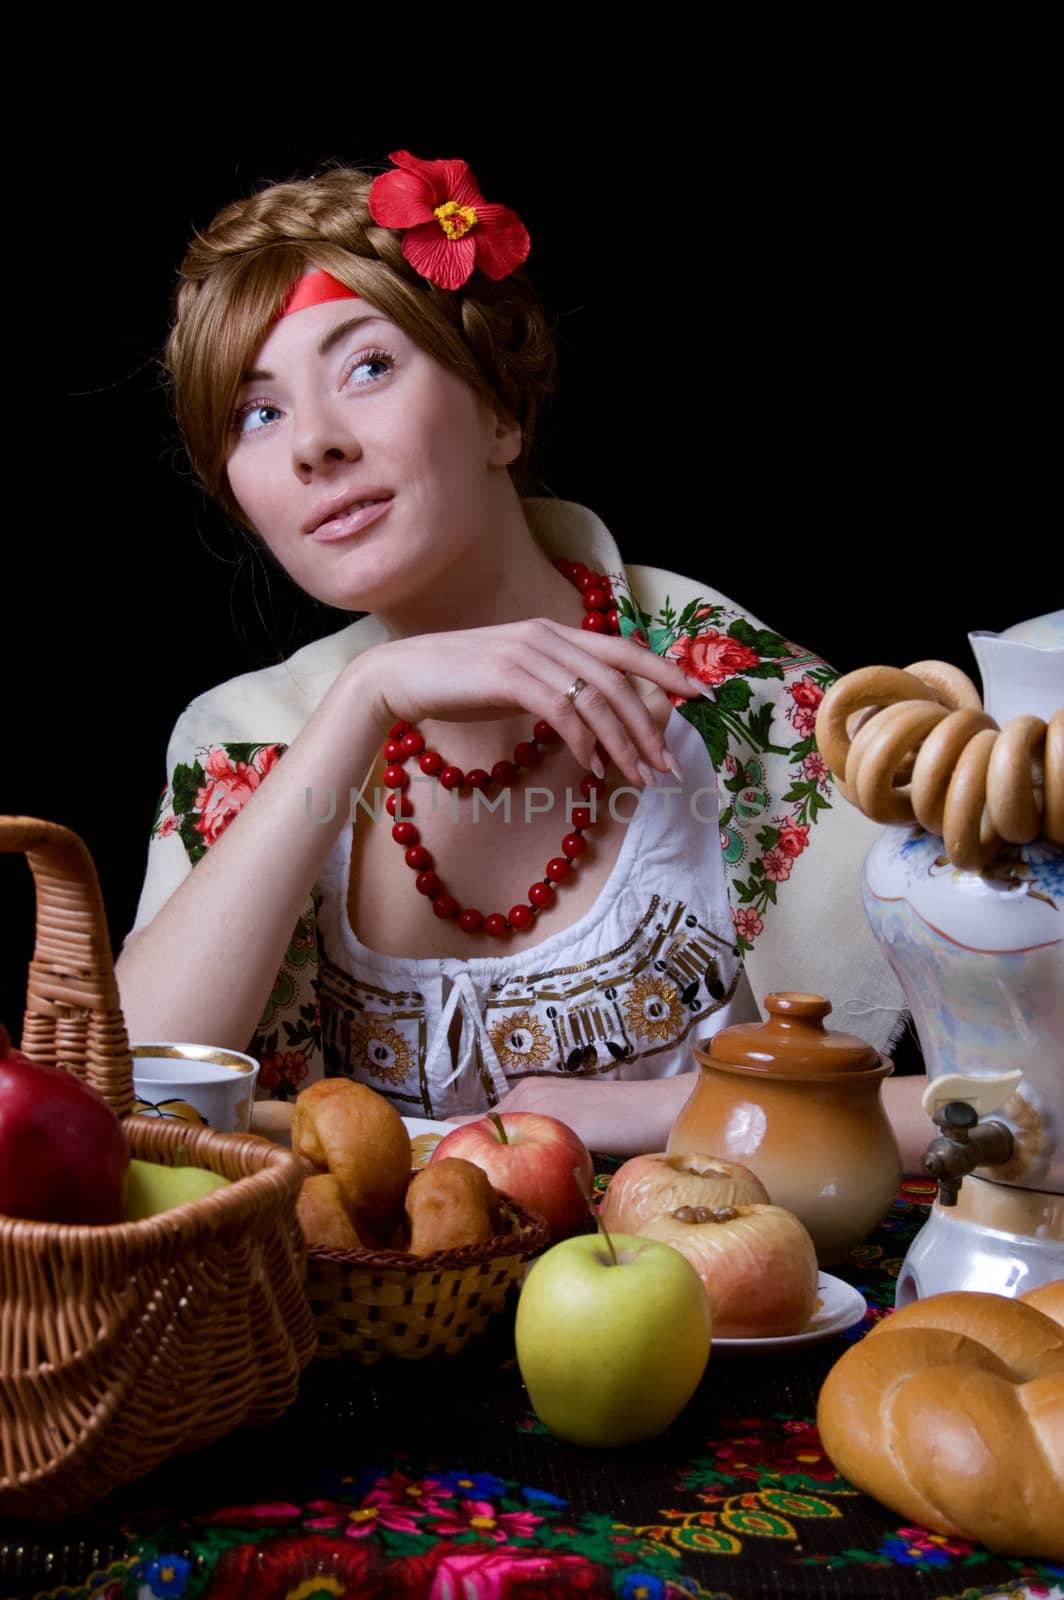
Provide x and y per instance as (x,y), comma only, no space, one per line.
(532,1159)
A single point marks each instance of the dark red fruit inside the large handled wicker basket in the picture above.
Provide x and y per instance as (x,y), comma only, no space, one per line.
(63,1151)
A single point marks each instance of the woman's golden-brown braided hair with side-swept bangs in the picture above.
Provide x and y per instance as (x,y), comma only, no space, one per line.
(495,337)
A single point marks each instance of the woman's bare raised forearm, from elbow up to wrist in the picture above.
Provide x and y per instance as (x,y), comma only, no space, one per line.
(204,969)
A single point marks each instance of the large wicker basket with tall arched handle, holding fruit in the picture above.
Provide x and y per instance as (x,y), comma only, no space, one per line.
(122,1346)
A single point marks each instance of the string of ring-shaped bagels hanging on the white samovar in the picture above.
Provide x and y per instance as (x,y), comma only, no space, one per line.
(916,746)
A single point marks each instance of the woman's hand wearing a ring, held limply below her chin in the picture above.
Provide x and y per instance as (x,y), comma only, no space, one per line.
(492,673)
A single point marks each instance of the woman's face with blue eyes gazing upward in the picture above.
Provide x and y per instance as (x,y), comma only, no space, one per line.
(366,466)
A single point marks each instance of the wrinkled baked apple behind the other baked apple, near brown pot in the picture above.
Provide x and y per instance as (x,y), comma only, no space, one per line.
(654,1185)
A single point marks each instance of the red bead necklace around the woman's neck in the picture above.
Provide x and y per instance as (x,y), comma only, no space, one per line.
(406,742)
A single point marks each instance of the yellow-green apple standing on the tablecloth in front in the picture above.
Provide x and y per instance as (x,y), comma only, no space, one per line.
(612,1353)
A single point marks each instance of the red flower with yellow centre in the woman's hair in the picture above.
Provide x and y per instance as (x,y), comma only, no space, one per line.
(449,225)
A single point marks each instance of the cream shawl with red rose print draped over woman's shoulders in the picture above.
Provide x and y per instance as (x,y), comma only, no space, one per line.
(793,850)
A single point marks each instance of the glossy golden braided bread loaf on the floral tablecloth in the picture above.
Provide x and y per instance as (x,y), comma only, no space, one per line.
(951,1412)
